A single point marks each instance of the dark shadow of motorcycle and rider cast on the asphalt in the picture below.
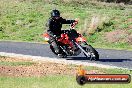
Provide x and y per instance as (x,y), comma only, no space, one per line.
(100,60)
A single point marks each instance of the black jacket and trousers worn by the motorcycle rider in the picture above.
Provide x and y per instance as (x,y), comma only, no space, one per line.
(54,28)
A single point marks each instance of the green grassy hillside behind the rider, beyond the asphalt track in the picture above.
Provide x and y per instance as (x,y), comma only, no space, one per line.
(24,20)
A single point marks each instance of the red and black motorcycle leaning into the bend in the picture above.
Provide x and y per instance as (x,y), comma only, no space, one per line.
(72,43)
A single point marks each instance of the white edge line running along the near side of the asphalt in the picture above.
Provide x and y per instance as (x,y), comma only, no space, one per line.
(63,61)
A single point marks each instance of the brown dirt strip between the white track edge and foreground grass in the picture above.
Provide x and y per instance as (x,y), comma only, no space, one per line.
(38,68)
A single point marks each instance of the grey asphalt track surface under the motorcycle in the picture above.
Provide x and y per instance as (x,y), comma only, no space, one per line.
(107,56)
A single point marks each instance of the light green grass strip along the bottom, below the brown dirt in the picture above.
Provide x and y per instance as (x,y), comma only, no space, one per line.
(51,82)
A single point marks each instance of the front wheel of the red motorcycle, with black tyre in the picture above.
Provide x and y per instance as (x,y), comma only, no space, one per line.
(93,53)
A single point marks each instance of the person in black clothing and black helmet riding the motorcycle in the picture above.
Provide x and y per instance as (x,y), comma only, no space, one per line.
(54,28)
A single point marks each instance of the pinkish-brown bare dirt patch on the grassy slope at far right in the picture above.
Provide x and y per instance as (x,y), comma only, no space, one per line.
(119,36)
